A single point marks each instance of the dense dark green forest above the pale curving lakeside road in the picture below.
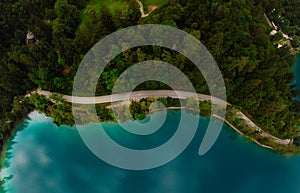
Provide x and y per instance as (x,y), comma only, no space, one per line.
(42,43)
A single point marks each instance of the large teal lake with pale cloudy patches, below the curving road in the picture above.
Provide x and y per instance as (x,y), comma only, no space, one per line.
(42,158)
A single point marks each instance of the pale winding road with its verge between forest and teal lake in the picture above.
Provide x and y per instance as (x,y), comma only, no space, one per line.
(251,130)
